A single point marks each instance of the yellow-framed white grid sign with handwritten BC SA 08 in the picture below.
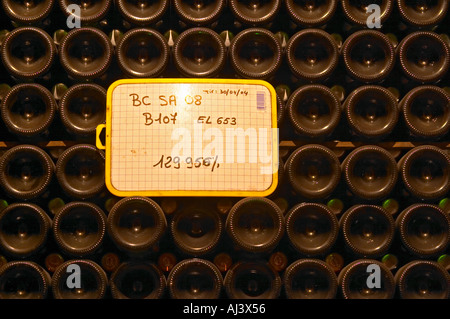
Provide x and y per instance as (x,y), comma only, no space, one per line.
(190,137)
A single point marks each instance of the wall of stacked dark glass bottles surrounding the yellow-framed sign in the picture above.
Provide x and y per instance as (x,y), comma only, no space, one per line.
(364,119)
